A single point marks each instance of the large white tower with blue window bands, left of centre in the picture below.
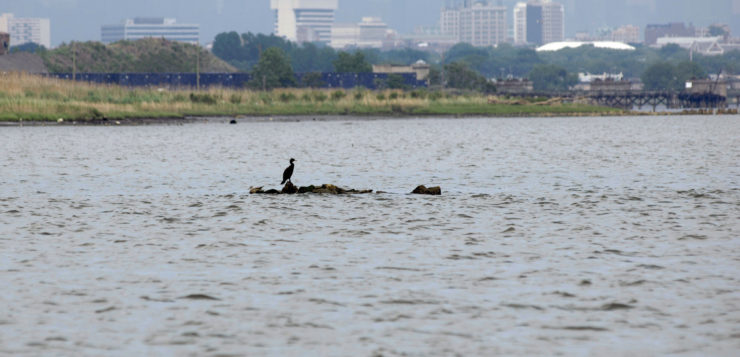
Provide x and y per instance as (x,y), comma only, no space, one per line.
(304,20)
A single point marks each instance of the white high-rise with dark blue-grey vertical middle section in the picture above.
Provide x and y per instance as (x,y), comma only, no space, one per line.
(539,22)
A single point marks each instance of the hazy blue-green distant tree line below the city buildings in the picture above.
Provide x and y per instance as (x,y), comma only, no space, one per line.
(467,67)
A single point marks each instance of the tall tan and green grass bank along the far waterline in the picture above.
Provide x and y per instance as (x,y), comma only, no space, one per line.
(28,97)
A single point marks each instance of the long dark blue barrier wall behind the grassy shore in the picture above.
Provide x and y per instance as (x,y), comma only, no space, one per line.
(234,80)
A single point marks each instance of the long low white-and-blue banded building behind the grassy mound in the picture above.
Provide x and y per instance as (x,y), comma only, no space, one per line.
(150,27)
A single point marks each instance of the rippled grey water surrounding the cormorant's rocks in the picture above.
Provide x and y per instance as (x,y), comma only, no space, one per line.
(577,236)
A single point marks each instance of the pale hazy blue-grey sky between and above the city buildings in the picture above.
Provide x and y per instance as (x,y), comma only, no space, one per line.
(81,19)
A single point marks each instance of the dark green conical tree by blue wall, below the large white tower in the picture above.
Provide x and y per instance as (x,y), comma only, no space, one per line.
(273,70)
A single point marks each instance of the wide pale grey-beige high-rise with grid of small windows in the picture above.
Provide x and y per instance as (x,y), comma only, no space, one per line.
(479,23)
